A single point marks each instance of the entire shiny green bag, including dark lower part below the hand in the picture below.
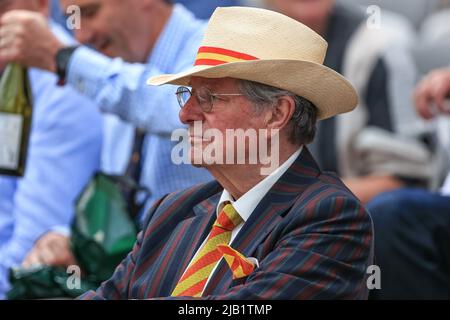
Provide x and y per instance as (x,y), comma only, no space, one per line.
(103,233)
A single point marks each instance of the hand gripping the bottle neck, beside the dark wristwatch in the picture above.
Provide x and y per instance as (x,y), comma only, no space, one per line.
(26,38)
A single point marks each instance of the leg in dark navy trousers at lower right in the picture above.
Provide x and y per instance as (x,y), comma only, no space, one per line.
(412,244)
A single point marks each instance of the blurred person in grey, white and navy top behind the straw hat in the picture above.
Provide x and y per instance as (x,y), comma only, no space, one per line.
(367,146)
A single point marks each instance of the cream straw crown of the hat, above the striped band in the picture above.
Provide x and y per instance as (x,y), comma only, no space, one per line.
(263,34)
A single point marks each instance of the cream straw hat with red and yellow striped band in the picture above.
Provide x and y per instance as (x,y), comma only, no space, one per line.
(270,48)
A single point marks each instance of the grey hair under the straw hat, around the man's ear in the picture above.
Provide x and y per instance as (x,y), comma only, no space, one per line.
(304,119)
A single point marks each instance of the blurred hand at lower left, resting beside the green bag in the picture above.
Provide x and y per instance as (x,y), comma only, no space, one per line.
(51,249)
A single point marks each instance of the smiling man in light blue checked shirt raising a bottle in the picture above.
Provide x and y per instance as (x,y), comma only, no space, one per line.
(134,39)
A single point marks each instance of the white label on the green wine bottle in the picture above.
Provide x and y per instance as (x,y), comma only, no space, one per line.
(10,138)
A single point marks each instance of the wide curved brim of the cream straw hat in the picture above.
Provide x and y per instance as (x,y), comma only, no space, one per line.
(330,92)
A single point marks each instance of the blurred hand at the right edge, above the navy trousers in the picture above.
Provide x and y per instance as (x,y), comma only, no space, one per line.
(431,93)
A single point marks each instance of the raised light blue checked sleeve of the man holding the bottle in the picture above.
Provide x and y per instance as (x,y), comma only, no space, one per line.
(120,88)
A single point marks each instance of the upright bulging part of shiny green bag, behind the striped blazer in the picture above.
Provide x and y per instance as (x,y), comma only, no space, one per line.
(104,230)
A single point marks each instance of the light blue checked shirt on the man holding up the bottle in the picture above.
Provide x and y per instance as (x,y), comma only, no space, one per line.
(120,89)
